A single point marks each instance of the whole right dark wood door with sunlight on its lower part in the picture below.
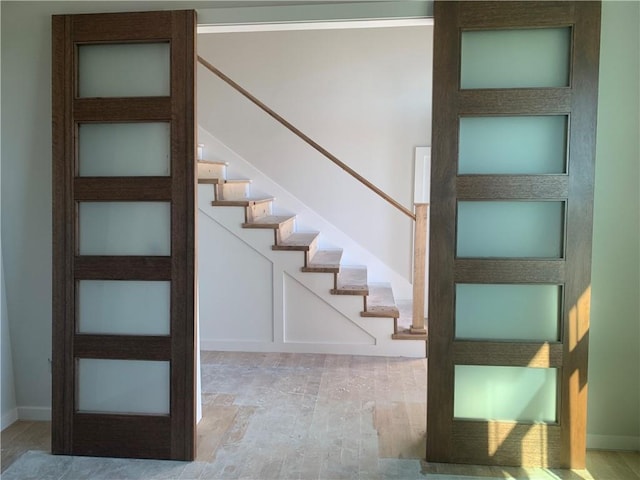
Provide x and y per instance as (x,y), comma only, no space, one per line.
(514,115)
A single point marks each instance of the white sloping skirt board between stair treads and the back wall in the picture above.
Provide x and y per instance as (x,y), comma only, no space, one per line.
(354,253)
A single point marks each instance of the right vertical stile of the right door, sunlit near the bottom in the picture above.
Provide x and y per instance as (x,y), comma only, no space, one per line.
(582,143)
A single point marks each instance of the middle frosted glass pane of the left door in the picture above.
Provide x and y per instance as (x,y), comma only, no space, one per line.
(125,228)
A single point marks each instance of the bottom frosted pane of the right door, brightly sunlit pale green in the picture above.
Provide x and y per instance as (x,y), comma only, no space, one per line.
(505,393)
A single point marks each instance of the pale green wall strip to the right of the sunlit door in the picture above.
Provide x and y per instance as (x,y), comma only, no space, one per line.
(614,355)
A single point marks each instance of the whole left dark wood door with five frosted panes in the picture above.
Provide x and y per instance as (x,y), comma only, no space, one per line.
(124,234)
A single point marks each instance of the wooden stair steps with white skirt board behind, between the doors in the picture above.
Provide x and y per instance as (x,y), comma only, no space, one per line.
(377,298)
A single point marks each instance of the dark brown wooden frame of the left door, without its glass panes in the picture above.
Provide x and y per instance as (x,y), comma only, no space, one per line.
(109,434)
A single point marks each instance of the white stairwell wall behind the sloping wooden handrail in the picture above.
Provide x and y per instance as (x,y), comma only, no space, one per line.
(363,94)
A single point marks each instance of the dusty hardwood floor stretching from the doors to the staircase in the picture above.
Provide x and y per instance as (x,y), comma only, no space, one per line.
(317,416)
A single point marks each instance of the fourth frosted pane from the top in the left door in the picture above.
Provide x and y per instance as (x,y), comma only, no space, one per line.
(123,307)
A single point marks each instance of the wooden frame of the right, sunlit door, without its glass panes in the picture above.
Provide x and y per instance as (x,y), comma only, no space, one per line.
(566,441)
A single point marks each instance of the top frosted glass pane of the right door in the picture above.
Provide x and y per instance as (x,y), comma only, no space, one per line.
(515,58)
